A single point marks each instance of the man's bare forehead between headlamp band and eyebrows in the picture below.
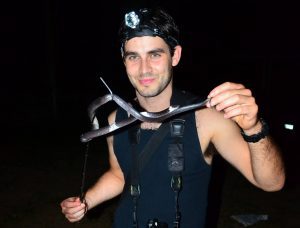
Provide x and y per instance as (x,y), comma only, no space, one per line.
(145,43)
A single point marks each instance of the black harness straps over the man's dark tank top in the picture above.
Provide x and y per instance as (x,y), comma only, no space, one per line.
(175,162)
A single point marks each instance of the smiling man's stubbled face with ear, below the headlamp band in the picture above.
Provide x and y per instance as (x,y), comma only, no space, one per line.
(149,64)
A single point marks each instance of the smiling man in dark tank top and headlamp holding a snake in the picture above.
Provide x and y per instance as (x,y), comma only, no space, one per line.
(150,49)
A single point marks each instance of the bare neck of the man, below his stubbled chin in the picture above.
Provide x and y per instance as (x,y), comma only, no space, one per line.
(157,103)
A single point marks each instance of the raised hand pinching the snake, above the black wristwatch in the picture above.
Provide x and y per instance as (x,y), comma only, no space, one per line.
(236,102)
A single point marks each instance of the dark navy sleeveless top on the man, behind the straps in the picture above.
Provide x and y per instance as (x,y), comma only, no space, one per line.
(157,198)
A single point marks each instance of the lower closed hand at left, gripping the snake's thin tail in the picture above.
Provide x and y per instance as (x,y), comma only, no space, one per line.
(73,209)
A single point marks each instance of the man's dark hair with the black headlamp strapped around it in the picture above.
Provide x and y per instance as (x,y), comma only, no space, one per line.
(149,22)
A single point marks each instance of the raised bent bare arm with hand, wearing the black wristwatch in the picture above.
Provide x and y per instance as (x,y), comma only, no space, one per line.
(259,162)
